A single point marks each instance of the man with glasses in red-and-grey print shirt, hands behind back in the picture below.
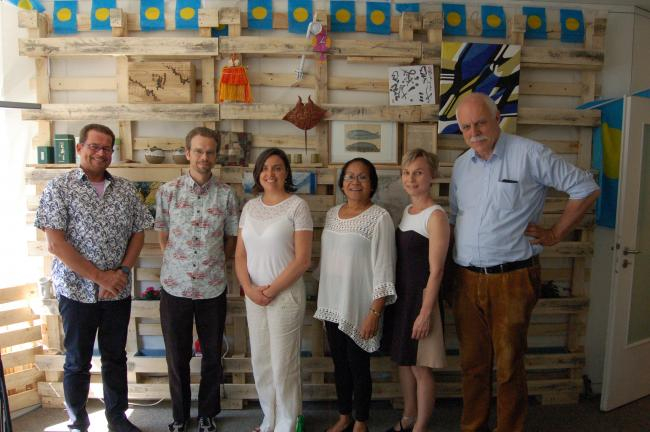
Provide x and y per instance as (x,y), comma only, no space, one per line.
(197,217)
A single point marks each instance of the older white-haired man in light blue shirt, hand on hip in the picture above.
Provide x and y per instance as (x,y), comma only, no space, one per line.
(496,197)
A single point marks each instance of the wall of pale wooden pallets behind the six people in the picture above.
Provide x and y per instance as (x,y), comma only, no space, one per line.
(556,356)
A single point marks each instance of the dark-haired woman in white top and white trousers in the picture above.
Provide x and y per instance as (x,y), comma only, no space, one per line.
(273,251)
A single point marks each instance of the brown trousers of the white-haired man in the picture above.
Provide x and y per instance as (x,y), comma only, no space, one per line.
(492,313)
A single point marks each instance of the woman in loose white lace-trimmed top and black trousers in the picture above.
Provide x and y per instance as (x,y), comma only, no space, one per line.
(356,282)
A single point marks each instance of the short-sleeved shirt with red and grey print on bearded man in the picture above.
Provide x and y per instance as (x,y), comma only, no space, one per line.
(196,218)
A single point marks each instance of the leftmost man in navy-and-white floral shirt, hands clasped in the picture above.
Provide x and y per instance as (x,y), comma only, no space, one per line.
(94,224)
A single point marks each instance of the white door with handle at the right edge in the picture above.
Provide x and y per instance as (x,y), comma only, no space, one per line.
(627,351)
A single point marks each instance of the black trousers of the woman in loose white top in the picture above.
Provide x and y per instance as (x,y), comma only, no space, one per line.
(351,373)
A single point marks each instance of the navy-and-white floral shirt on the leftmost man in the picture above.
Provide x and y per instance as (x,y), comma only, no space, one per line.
(99,228)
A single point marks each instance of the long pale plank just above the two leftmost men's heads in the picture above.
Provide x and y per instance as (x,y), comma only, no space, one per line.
(160,112)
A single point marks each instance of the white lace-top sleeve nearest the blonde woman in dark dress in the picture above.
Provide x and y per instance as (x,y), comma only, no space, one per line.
(383,259)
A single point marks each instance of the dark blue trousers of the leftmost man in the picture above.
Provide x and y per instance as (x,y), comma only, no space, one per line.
(109,320)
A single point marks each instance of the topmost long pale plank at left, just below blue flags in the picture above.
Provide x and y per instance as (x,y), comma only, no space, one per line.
(132,46)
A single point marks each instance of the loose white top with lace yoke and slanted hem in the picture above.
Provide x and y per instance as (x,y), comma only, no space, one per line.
(357,266)
